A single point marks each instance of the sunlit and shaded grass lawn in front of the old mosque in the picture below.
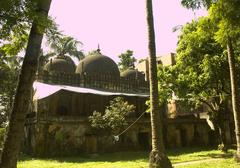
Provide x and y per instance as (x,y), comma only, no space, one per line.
(133,160)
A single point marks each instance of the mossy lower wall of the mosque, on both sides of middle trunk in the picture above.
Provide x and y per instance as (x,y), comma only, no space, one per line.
(71,137)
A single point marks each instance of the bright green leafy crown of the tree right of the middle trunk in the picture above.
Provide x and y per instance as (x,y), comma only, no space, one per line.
(200,62)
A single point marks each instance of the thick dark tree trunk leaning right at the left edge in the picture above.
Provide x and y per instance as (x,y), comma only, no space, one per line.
(23,94)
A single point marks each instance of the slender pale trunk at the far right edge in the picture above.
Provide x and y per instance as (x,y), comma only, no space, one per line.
(235,94)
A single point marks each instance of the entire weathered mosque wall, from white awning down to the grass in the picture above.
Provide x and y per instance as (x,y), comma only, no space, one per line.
(59,132)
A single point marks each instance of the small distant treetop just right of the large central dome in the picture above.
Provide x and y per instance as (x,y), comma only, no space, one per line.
(126,60)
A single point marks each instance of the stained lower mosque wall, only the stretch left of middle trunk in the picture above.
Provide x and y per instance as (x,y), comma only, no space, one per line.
(69,137)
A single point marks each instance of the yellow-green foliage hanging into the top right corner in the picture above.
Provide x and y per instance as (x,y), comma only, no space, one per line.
(224,14)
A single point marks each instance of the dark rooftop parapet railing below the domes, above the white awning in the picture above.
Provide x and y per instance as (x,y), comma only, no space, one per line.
(96,81)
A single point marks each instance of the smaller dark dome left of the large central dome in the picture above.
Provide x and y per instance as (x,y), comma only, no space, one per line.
(62,64)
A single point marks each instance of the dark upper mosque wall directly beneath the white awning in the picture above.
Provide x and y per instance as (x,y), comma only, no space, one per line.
(66,103)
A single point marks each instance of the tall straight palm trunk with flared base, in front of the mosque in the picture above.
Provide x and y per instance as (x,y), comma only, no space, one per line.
(158,157)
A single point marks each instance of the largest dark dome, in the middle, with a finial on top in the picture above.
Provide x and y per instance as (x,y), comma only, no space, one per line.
(96,63)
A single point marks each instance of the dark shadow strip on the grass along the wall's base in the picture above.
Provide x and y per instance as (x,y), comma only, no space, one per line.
(131,156)
